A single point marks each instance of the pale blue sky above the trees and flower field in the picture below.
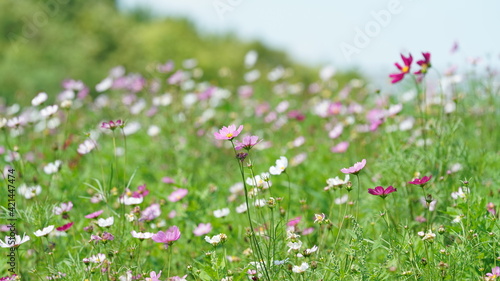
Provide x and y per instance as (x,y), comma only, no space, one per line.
(367,35)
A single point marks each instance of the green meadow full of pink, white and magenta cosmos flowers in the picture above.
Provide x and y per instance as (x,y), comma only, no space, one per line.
(165,175)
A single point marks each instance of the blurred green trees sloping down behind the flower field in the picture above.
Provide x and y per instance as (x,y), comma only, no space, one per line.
(46,41)
